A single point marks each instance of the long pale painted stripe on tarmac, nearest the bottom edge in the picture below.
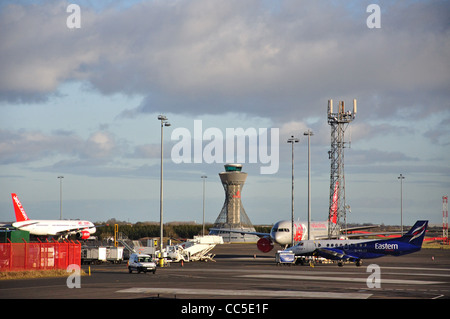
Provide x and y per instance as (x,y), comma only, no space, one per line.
(247,293)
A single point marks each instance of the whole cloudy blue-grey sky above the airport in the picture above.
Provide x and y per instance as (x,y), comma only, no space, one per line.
(83,103)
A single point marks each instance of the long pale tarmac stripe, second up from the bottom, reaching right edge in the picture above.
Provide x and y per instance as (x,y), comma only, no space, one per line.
(342,279)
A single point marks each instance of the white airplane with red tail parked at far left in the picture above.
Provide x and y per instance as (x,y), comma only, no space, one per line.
(81,228)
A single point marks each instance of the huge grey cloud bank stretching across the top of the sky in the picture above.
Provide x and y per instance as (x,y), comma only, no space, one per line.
(197,57)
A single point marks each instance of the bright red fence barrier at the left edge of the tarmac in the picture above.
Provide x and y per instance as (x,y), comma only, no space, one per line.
(39,256)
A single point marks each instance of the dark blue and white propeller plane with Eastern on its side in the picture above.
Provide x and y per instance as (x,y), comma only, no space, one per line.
(356,250)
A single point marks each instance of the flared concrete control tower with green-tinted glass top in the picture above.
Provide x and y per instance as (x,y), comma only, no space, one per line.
(232,216)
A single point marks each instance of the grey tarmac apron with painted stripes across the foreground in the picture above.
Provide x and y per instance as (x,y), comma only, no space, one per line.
(237,274)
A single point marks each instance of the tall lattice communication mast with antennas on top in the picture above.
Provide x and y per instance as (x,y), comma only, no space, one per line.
(338,121)
